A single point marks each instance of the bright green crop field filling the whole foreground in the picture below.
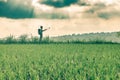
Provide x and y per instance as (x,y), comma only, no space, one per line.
(60,62)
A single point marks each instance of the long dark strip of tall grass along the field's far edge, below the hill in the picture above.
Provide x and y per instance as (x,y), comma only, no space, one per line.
(24,39)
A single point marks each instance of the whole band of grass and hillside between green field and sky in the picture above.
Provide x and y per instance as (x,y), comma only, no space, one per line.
(91,38)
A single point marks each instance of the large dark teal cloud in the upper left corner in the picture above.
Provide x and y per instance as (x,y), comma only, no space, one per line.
(16,9)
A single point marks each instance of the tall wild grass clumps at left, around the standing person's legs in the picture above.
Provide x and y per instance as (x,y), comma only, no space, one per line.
(24,39)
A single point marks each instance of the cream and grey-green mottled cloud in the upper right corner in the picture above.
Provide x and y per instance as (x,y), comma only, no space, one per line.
(103,11)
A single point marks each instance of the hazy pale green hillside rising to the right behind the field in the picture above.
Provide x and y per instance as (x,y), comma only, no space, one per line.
(103,37)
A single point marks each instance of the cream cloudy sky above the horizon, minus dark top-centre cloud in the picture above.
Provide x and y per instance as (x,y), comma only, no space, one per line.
(25,17)
